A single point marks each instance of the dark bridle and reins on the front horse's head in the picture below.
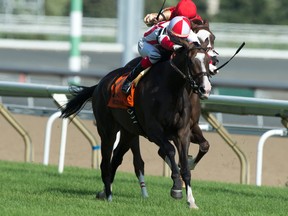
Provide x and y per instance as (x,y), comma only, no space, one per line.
(190,77)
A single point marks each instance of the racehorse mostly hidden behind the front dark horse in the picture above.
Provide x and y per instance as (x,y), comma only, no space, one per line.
(202,29)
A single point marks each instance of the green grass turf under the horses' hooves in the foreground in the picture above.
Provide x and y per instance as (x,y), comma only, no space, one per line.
(34,189)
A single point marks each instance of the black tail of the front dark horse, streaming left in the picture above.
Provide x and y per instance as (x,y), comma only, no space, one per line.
(81,95)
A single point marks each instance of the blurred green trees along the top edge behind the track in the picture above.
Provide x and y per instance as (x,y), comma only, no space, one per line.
(231,11)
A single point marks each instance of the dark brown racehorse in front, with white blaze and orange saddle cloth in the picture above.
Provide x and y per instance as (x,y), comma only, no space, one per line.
(163,109)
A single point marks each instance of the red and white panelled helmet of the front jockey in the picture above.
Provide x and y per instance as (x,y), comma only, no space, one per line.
(179,26)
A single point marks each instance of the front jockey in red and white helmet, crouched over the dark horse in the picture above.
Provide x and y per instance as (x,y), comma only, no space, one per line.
(163,34)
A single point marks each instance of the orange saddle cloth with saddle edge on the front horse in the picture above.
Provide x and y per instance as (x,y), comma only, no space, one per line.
(120,100)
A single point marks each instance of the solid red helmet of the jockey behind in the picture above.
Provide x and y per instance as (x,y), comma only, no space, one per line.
(185,8)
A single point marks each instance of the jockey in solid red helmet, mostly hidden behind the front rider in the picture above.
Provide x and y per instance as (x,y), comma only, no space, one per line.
(188,9)
